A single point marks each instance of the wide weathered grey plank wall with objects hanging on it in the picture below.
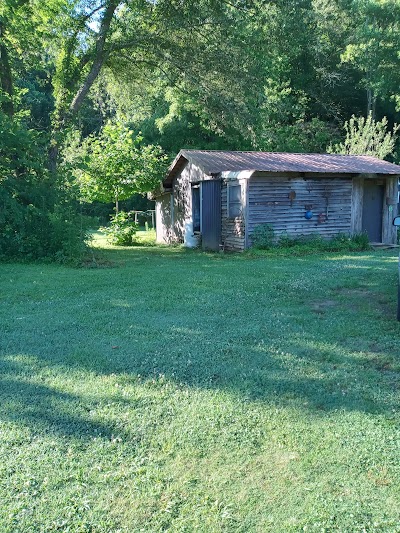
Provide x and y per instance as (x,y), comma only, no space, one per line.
(328,198)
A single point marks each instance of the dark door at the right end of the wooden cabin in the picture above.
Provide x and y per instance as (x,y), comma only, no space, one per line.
(372,209)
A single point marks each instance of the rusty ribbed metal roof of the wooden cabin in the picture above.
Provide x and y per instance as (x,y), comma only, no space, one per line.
(214,162)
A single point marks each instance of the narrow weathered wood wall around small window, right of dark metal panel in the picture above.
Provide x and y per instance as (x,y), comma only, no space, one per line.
(232,229)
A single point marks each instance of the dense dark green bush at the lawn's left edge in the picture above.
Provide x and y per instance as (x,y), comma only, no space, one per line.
(37,215)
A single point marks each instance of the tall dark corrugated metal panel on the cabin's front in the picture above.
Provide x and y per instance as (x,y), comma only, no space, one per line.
(211,215)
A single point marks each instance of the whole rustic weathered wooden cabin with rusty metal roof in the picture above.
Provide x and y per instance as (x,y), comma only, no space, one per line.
(217,198)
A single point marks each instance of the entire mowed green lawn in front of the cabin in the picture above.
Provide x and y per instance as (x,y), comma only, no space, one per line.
(183,391)
